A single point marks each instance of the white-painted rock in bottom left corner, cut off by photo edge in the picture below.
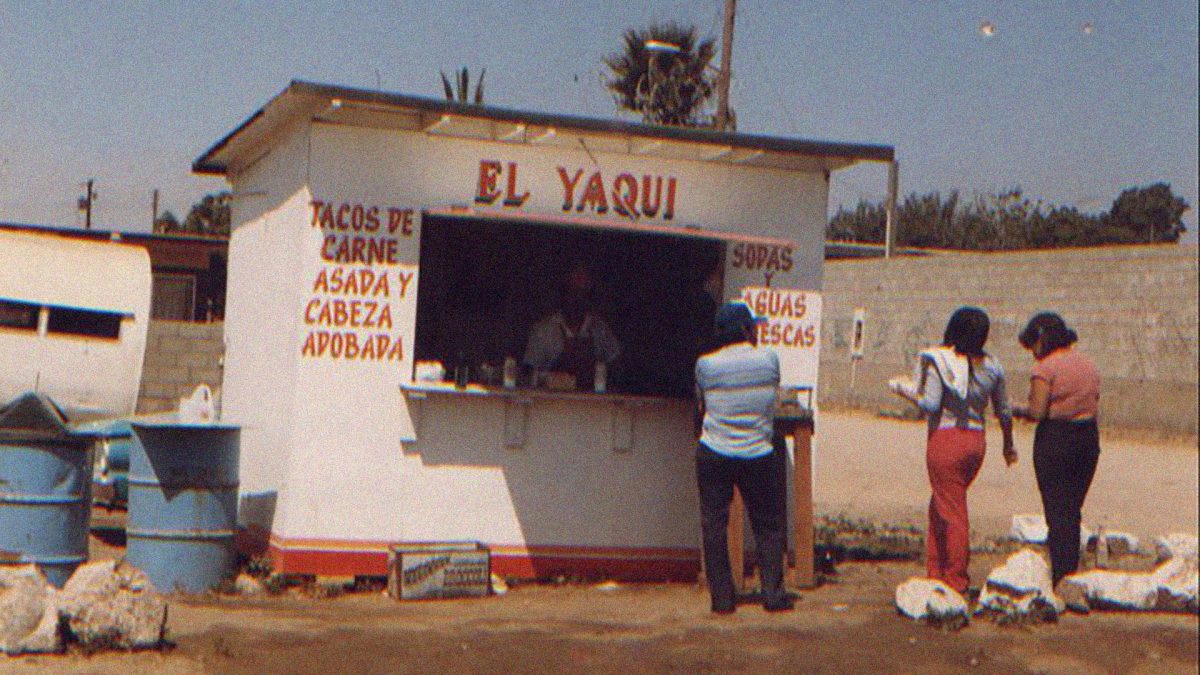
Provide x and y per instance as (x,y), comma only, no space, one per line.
(29,616)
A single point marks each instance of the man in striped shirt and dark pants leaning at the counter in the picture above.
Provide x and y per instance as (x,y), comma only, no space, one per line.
(736,391)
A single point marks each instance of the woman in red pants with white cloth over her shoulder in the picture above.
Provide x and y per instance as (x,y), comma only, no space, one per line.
(953,387)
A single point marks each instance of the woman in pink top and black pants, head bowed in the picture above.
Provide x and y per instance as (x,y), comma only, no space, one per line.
(1065,396)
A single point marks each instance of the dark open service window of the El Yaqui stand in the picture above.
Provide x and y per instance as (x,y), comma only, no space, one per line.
(488,284)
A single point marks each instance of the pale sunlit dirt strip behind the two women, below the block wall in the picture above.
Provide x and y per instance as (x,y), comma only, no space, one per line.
(867,467)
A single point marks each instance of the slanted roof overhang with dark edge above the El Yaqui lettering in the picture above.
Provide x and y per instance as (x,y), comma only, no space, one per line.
(380,110)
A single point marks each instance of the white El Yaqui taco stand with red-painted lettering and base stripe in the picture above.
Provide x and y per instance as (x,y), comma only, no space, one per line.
(374,231)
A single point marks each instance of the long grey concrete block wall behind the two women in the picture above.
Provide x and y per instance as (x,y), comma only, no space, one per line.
(1133,307)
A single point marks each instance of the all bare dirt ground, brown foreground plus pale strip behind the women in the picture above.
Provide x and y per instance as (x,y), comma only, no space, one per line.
(867,468)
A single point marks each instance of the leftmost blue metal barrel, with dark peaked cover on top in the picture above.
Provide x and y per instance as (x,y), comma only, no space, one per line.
(45,488)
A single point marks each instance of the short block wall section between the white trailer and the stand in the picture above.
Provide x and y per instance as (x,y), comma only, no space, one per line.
(179,357)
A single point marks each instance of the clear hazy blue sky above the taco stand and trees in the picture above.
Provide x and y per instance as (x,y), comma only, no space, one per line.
(131,93)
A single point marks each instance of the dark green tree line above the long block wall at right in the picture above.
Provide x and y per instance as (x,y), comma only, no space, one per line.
(1011,220)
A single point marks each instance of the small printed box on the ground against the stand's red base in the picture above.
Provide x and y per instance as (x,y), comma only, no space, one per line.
(439,570)
